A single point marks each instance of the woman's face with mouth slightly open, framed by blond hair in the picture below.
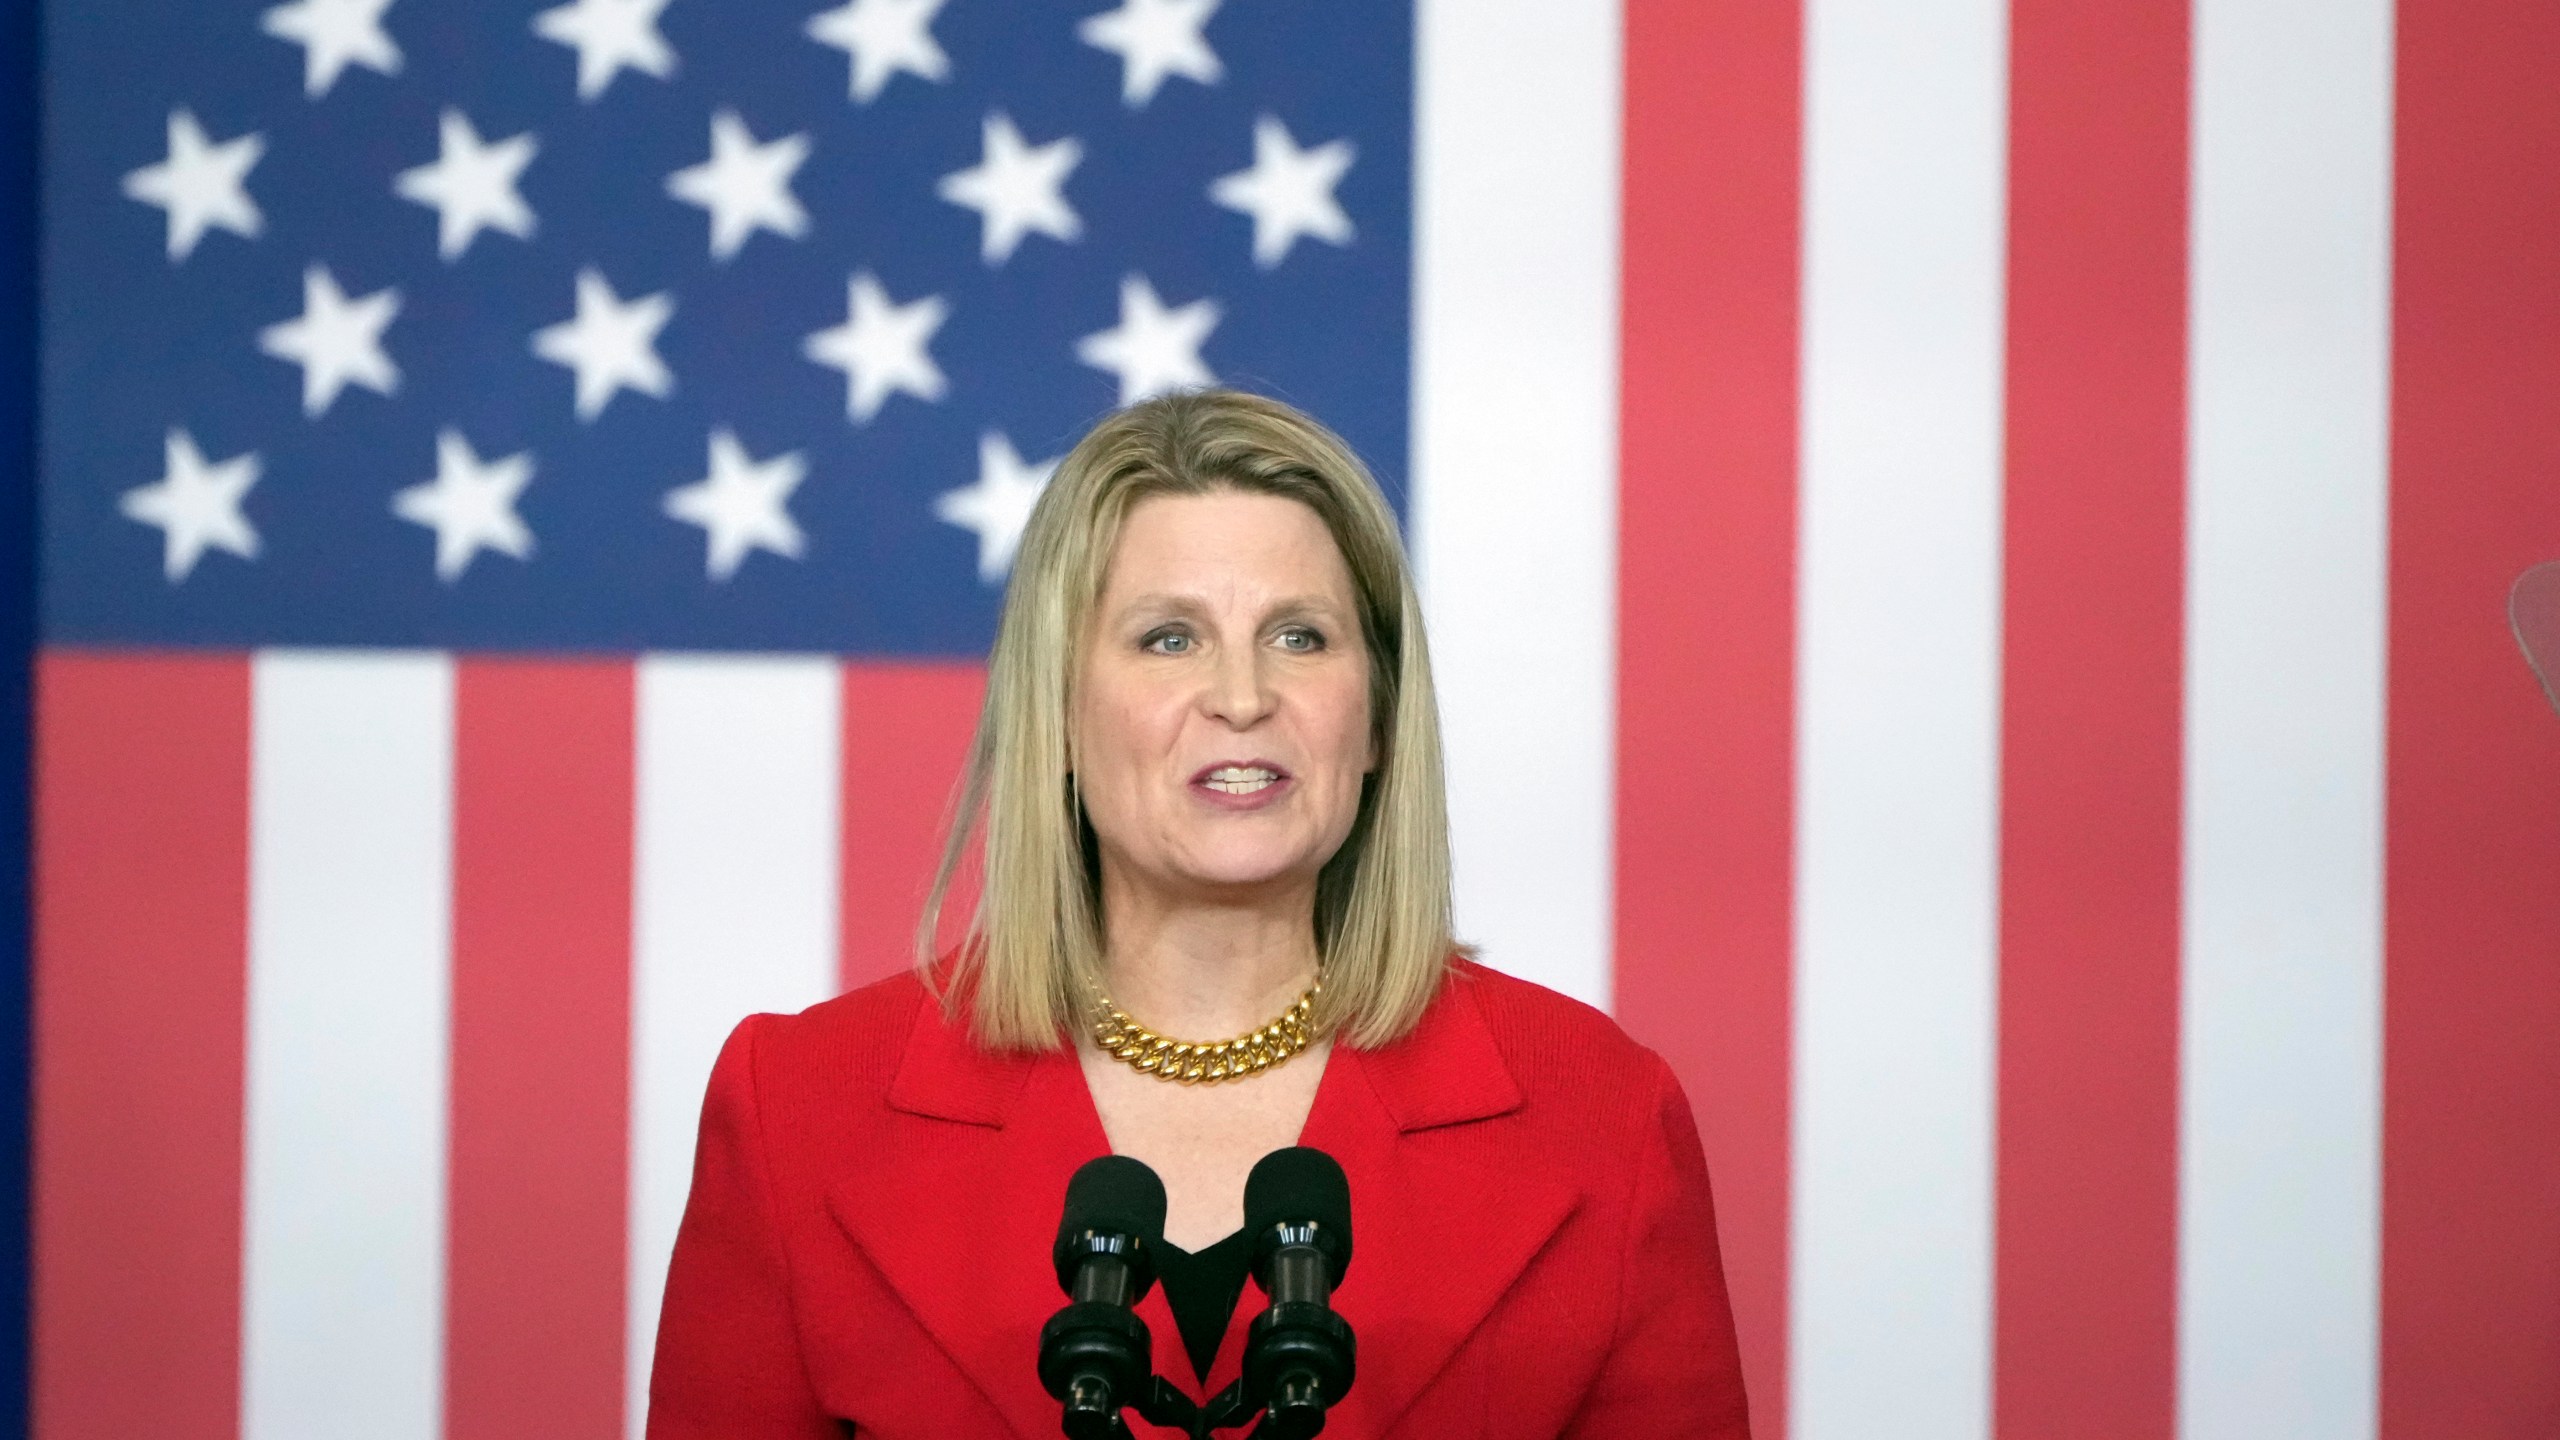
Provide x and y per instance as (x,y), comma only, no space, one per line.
(1222,716)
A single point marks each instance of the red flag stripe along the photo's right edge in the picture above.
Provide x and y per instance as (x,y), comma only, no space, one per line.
(2472,1044)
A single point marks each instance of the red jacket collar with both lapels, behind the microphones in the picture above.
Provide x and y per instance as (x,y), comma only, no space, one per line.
(1417,1126)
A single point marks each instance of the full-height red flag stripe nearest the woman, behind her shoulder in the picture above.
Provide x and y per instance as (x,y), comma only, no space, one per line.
(1706,609)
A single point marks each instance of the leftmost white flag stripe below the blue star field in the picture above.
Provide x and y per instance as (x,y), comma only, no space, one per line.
(349,998)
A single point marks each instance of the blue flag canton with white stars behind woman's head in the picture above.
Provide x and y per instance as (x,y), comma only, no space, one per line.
(639,324)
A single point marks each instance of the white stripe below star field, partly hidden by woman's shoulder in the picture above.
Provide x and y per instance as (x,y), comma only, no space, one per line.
(733,908)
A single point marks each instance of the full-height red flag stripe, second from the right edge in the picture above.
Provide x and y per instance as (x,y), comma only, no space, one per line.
(2088,1188)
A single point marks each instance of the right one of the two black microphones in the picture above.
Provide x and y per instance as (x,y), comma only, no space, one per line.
(1299,1354)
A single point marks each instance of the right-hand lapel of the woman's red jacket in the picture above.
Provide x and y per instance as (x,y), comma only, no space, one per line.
(1445,1206)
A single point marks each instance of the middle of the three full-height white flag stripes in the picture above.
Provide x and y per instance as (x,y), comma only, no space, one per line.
(1898,790)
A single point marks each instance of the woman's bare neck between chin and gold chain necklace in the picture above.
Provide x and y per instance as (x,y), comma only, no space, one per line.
(1204,970)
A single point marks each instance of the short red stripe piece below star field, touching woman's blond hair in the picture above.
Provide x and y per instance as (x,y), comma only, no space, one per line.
(908,732)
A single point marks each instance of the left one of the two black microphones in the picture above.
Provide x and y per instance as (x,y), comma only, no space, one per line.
(1094,1354)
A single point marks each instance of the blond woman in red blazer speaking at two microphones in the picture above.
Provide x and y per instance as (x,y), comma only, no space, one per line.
(1207,788)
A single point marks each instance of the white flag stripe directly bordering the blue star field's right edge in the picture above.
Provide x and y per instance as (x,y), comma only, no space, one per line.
(1517,462)
